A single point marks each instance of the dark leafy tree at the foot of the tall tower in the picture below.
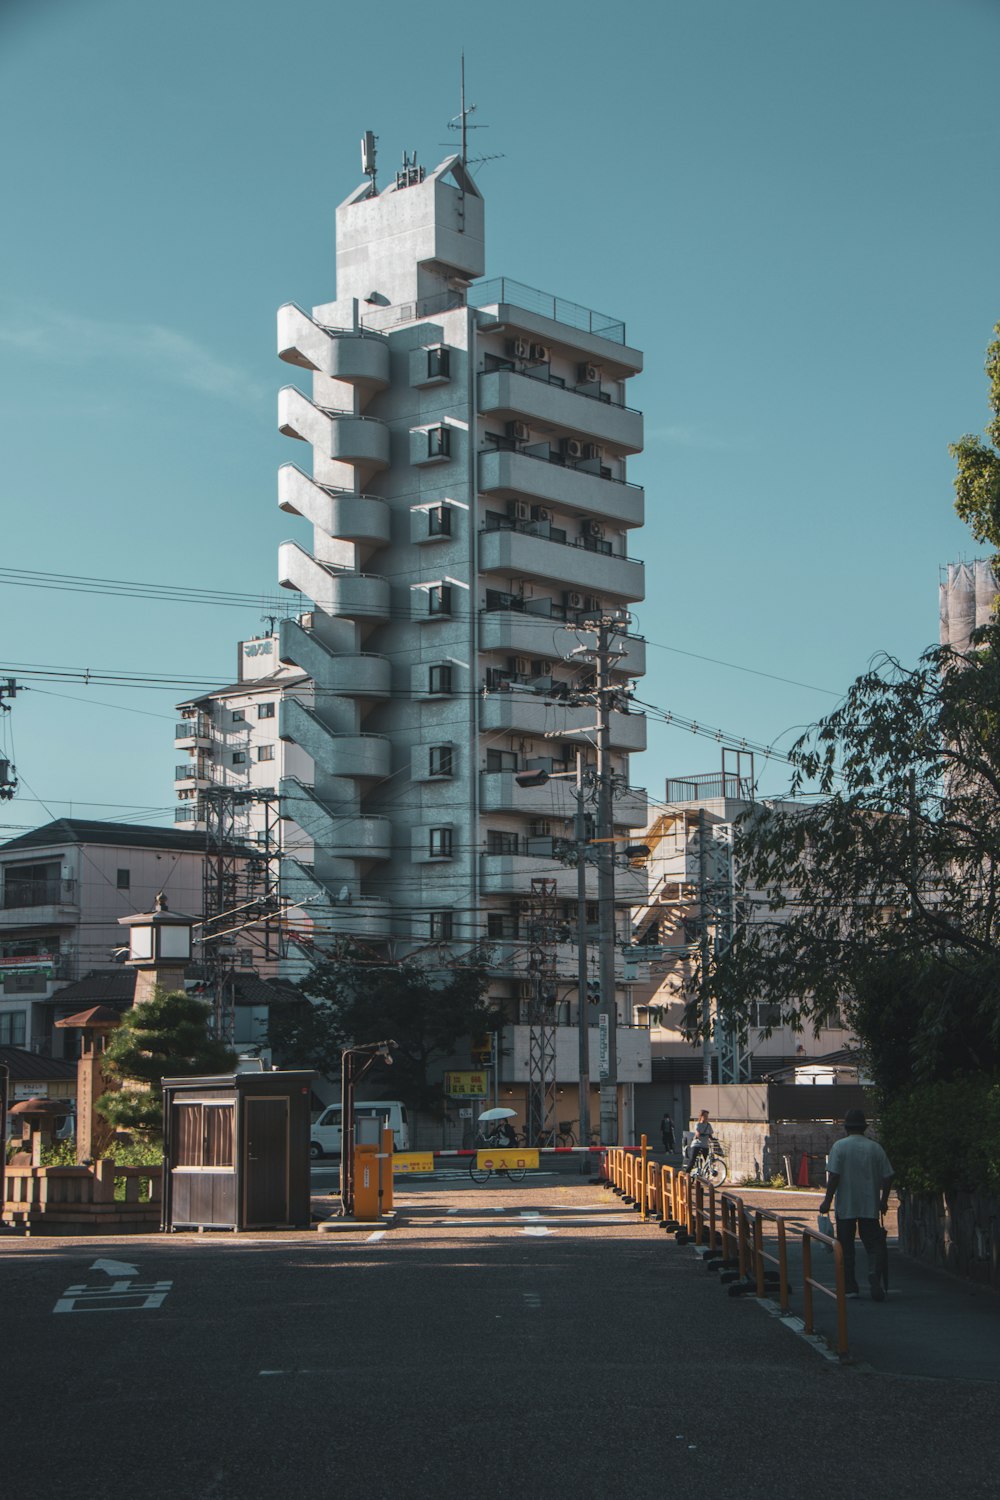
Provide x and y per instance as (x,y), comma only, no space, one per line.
(358,998)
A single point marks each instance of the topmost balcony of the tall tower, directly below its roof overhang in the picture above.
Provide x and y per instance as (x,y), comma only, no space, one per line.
(552,409)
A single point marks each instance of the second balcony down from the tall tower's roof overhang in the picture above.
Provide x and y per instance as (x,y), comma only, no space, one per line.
(510,475)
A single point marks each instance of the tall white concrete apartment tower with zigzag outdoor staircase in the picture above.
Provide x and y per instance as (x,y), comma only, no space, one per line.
(466,503)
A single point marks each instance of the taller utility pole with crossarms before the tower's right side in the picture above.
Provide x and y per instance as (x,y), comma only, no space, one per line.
(606,896)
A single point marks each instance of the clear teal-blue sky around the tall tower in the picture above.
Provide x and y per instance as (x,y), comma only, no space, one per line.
(792,205)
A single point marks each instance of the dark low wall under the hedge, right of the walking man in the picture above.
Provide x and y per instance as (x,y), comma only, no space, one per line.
(956,1231)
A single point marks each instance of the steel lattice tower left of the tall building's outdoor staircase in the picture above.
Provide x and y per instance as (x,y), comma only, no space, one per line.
(239,893)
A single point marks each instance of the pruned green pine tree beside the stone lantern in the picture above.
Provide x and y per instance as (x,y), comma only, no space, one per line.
(166,1037)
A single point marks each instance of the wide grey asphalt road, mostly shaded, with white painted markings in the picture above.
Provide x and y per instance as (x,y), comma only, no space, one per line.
(504,1340)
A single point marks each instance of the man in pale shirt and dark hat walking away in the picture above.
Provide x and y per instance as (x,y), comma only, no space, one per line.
(860,1177)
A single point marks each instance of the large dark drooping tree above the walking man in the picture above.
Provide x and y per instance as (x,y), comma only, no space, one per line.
(884,896)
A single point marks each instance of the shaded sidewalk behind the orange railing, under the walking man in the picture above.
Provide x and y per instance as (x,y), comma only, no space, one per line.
(932,1325)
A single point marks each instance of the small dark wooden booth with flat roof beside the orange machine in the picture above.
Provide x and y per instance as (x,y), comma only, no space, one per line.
(236,1151)
